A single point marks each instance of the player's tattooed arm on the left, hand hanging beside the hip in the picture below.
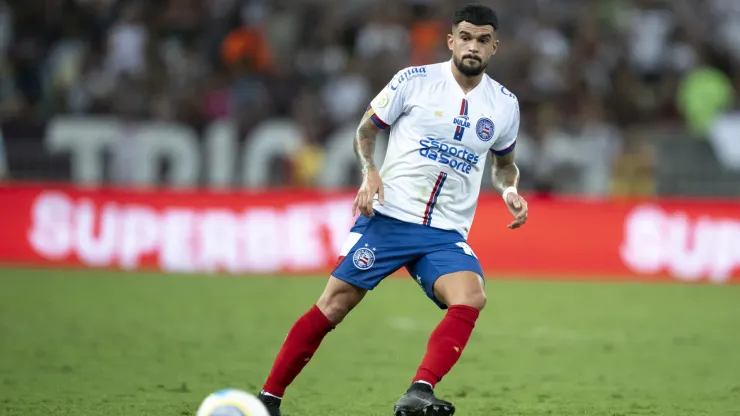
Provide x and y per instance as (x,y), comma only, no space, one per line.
(364,145)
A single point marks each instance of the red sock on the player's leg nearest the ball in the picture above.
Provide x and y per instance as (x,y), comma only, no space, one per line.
(302,341)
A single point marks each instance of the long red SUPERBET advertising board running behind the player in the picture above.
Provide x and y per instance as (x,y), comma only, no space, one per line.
(302,231)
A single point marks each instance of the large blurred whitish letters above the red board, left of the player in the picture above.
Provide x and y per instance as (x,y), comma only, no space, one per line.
(221,159)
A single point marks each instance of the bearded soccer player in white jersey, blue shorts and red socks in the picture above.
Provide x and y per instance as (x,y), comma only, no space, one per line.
(417,210)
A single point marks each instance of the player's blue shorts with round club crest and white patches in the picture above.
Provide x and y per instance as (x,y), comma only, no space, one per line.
(380,245)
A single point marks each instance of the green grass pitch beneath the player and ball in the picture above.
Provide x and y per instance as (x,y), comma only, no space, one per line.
(96,343)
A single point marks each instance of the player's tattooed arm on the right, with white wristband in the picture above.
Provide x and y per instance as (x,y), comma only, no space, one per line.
(505,175)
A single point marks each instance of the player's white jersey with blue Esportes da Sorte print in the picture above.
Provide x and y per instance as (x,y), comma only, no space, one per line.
(439,141)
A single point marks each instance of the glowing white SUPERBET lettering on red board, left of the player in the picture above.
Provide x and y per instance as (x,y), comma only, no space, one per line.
(299,237)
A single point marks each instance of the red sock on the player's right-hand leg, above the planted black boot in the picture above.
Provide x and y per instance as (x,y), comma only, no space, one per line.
(446,343)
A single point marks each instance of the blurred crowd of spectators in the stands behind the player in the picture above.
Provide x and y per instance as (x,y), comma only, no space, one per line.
(593,77)
